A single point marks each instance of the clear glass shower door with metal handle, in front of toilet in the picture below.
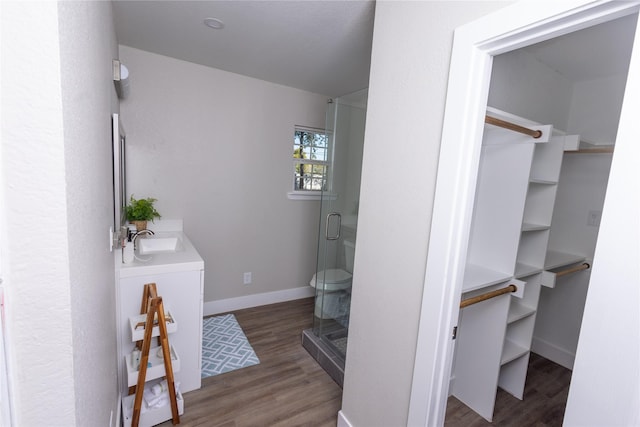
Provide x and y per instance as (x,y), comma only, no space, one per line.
(338,220)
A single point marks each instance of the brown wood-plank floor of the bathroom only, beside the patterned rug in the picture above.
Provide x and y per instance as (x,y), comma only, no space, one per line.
(287,388)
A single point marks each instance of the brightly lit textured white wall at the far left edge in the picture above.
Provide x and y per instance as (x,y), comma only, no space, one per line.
(32,139)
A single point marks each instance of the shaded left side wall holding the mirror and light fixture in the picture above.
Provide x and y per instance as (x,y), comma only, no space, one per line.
(87,47)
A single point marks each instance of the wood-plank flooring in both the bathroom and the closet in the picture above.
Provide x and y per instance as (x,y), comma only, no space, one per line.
(288,388)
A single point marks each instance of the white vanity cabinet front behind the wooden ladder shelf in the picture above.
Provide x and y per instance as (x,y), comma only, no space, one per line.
(181,293)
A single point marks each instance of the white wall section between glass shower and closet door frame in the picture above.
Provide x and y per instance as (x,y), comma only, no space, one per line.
(409,71)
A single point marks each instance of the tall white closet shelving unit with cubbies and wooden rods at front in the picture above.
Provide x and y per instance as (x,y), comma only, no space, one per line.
(515,193)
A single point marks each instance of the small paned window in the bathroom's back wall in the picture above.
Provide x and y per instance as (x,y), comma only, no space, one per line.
(311,160)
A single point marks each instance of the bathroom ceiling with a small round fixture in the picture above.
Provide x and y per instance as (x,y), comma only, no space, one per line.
(318,46)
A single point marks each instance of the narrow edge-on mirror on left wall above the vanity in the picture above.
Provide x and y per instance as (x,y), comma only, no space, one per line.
(119,181)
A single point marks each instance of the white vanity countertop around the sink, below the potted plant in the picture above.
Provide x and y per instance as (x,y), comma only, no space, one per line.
(186,259)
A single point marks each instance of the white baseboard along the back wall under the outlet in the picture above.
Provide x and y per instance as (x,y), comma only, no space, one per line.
(255,300)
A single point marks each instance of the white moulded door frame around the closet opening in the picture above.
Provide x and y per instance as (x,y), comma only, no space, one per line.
(474,45)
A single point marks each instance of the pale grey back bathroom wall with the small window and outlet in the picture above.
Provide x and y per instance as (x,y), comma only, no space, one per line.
(215,149)
